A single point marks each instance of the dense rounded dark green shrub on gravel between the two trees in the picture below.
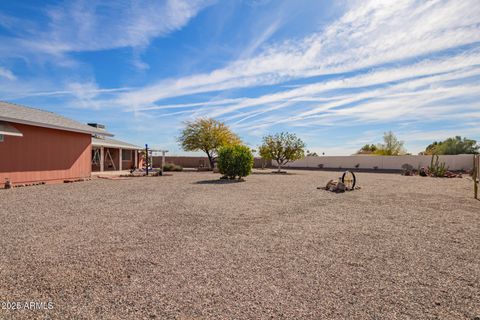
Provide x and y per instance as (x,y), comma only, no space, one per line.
(235,161)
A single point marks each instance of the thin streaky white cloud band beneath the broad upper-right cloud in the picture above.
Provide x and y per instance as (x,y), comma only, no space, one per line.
(410,78)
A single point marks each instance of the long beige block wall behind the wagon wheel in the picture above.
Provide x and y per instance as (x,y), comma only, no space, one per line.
(454,162)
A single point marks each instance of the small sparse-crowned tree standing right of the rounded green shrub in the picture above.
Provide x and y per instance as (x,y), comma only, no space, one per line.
(282,147)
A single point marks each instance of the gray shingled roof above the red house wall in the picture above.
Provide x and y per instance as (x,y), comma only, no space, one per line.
(15,113)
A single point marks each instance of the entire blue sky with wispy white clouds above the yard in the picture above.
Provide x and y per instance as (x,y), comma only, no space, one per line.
(336,73)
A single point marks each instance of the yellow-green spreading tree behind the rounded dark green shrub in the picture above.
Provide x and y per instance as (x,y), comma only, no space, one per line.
(207,135)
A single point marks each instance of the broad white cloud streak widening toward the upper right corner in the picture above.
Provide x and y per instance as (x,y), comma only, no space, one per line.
(369,35)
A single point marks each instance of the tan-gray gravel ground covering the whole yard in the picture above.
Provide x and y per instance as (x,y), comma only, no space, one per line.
(187,247)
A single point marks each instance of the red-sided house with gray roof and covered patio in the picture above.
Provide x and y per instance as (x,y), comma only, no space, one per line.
(41,146)
